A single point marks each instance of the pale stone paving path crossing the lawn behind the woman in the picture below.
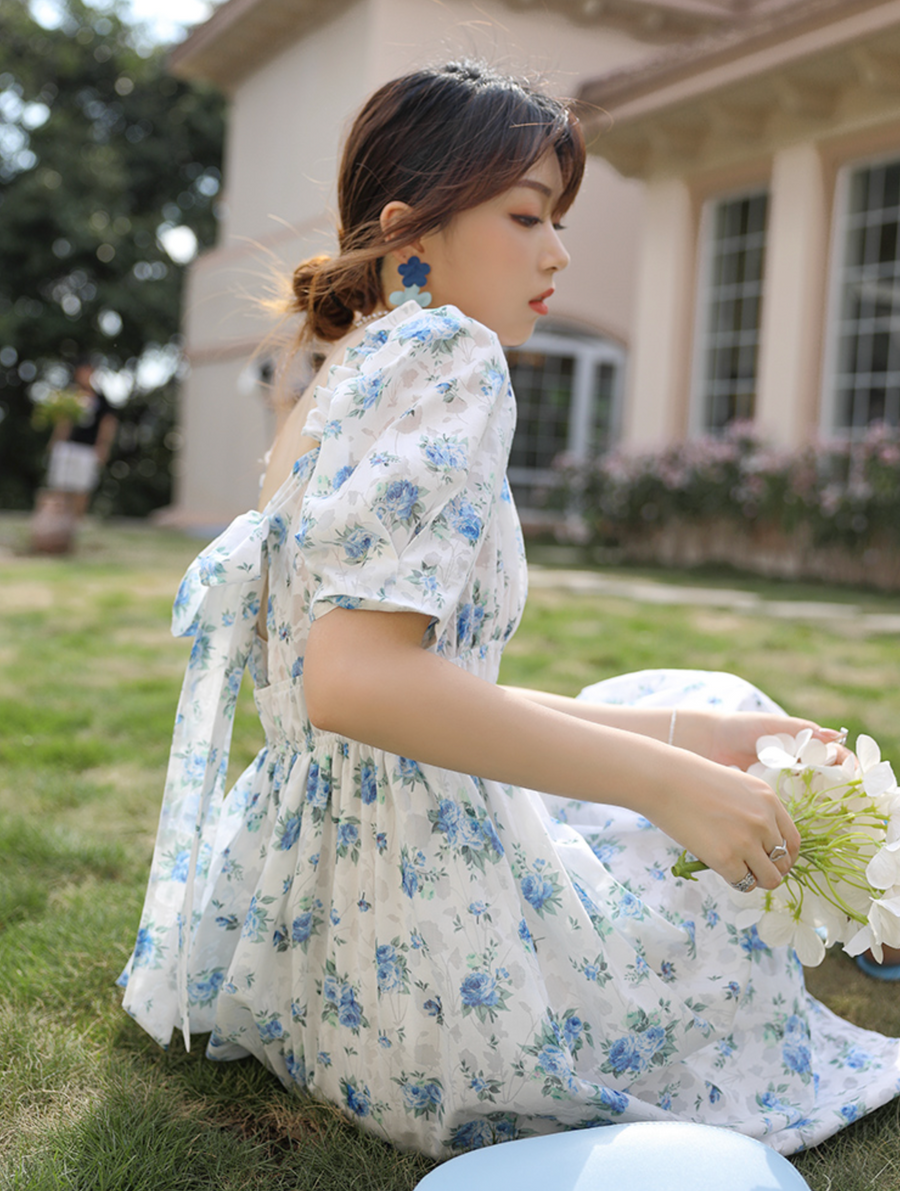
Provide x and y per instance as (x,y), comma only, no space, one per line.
(649,591)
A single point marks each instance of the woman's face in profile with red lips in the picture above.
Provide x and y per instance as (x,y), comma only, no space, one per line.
(497,263)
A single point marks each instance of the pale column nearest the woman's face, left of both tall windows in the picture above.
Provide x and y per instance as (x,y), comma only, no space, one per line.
(661,358)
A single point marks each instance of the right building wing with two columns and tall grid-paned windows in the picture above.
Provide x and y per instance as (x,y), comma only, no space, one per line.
(770,265)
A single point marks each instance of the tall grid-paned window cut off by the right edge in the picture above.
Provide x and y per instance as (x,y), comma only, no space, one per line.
(867,360)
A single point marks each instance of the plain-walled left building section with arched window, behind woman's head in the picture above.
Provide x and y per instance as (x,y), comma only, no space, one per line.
(296,72)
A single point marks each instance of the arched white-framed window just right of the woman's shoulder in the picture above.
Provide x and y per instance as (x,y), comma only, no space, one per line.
(568,391)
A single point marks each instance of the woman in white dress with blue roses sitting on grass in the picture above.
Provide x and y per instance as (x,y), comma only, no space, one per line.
(383,912)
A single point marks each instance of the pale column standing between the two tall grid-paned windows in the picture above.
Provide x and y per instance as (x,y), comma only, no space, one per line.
(793,311)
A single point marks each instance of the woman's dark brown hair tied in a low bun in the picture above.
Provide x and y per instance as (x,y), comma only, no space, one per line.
(442,141)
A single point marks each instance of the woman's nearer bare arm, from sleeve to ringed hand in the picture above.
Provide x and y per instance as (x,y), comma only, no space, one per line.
(368,678)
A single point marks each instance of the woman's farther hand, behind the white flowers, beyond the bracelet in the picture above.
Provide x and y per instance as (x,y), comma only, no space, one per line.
(730,738)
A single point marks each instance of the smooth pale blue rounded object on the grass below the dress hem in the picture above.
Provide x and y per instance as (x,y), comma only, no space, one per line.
(642,1157)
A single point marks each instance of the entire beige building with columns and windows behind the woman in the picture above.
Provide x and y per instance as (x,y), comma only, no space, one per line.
(735,247)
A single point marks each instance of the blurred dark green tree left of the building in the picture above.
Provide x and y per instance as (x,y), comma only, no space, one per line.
(109,176)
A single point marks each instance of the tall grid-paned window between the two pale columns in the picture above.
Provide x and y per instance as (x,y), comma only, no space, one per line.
(732,307)
